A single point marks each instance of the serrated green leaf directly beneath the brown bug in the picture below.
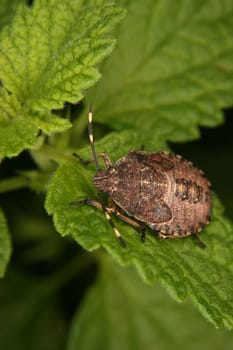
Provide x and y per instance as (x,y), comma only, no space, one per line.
(186,270)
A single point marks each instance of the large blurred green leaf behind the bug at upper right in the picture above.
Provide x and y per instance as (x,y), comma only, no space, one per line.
(173,65)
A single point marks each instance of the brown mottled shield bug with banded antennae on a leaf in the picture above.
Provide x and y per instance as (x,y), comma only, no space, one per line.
(162,191)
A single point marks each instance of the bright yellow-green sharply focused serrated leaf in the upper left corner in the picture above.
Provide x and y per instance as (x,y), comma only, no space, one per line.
(47,58)
